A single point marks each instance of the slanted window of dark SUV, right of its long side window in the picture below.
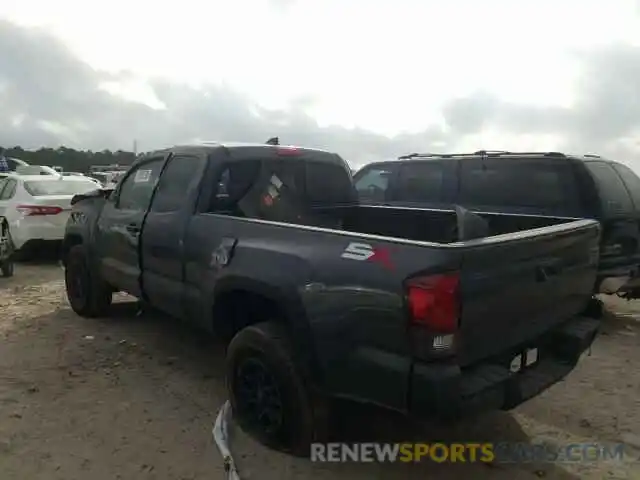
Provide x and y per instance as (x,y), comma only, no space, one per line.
(614,197)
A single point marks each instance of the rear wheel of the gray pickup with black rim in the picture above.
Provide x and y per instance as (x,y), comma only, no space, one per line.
(302,417)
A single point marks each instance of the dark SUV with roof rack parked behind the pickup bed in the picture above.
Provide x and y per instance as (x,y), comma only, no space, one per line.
(537,183)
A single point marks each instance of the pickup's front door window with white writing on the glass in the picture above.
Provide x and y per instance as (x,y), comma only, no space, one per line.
(136,189)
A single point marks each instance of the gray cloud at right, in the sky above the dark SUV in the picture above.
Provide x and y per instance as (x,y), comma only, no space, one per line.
(606,107)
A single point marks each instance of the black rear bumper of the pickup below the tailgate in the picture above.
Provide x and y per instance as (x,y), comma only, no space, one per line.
(449,392)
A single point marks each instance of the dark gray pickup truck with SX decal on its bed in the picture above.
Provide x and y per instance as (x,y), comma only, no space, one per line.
(321,298)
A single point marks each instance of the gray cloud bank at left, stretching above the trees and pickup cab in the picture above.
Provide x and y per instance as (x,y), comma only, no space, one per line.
(49,97)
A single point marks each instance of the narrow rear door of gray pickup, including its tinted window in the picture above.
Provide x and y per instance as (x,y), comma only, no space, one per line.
(162,244)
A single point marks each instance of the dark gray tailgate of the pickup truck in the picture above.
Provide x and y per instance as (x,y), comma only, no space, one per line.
(515,287)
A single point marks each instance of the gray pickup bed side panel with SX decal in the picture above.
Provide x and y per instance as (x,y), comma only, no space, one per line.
(348,312)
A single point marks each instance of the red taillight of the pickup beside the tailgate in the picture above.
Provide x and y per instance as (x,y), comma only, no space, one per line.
(433,302)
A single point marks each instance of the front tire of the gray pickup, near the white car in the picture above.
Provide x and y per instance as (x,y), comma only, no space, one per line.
(88,295)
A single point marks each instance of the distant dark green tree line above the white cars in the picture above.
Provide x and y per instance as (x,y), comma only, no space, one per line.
(69,159)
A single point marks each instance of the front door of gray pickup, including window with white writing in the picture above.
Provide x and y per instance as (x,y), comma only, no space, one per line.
(119,226)
